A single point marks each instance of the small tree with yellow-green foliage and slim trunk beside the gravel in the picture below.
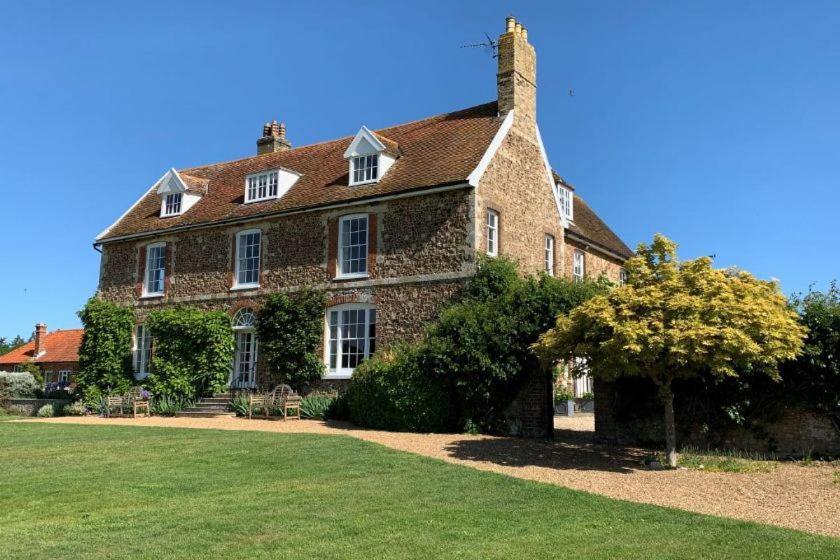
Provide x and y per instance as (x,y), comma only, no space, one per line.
(676,320)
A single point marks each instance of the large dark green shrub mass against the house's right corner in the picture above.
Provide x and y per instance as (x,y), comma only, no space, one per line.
(473,360)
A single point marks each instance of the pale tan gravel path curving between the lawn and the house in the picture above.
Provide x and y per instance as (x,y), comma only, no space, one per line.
(791,495)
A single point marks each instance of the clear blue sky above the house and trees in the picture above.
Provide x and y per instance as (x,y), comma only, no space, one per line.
(716,123)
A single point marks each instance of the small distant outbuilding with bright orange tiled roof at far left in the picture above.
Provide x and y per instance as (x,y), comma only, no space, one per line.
(56,354)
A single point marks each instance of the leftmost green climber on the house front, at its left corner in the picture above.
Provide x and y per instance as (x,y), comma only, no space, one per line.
(105,352)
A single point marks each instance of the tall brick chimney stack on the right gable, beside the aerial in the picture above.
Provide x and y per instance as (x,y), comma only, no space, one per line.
(517,75)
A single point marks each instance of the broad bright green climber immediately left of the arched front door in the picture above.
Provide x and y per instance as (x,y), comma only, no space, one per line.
(193,352)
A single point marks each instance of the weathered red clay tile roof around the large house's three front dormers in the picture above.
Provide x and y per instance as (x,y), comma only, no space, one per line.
(435,151)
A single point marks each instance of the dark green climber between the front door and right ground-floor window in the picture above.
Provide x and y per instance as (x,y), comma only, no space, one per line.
(290,331)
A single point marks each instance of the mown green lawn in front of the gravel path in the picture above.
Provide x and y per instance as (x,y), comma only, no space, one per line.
(117,492)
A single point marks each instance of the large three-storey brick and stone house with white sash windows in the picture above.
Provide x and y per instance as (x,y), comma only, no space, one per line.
(388,222)
